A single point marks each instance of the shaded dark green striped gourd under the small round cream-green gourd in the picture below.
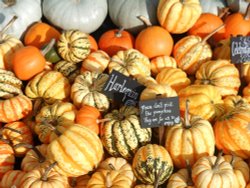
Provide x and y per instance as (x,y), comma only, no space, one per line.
(69,69)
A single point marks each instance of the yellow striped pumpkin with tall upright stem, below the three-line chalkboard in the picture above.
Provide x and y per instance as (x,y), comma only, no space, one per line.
(181,140)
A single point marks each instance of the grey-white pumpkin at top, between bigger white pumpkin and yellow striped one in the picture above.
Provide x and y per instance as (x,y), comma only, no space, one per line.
(124,13)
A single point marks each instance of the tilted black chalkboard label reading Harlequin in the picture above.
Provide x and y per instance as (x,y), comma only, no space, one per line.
(122,89)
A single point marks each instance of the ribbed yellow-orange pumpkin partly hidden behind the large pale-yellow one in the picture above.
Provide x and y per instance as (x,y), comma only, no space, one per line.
(51,117)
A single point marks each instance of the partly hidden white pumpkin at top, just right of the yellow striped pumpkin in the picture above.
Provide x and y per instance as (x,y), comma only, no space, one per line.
(212,6)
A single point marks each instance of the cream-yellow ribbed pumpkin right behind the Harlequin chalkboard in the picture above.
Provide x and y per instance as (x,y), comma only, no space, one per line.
(130,63)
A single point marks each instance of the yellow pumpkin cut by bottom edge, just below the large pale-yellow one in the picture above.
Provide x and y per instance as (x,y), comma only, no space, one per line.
(44,177)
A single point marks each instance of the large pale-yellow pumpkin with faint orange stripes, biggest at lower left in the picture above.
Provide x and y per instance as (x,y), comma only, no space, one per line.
(77,151)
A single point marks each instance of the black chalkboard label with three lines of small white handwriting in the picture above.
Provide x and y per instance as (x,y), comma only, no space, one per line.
(159,112)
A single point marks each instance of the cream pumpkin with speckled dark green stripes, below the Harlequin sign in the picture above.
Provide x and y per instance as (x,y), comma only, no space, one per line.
(122,135)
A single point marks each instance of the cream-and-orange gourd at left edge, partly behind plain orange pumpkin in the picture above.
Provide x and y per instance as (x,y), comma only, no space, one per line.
(8,45)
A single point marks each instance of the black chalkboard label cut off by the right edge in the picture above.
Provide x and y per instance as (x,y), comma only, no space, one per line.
(240,49)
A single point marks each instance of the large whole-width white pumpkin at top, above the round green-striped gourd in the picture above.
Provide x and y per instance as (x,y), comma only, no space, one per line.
(84,15)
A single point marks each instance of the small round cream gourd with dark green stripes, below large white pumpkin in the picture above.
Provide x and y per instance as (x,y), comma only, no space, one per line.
(73,46)
